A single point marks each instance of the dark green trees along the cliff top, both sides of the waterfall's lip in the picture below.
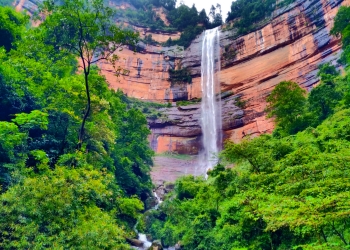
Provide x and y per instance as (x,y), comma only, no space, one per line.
(244,16)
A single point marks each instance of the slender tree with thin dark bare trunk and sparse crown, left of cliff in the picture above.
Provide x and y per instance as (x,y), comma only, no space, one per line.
(86,29)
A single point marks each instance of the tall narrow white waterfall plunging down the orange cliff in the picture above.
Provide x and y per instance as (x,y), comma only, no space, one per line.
(210,107)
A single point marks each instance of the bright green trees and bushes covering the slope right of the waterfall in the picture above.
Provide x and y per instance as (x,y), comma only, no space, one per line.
(288,190)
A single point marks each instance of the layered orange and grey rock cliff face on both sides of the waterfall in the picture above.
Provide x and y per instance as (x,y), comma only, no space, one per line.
(288,46)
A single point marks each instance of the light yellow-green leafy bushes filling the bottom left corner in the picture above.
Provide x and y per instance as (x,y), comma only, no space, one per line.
(65,208)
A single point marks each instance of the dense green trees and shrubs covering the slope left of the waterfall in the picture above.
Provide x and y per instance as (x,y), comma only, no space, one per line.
(60,190)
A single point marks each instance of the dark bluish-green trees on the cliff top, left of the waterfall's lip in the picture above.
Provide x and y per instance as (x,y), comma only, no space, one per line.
(188,20)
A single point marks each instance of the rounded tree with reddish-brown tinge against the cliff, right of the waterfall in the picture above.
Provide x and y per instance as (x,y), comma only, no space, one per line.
(286,104)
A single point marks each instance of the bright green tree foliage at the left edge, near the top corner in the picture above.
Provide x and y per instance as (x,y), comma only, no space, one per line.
(12,25)
